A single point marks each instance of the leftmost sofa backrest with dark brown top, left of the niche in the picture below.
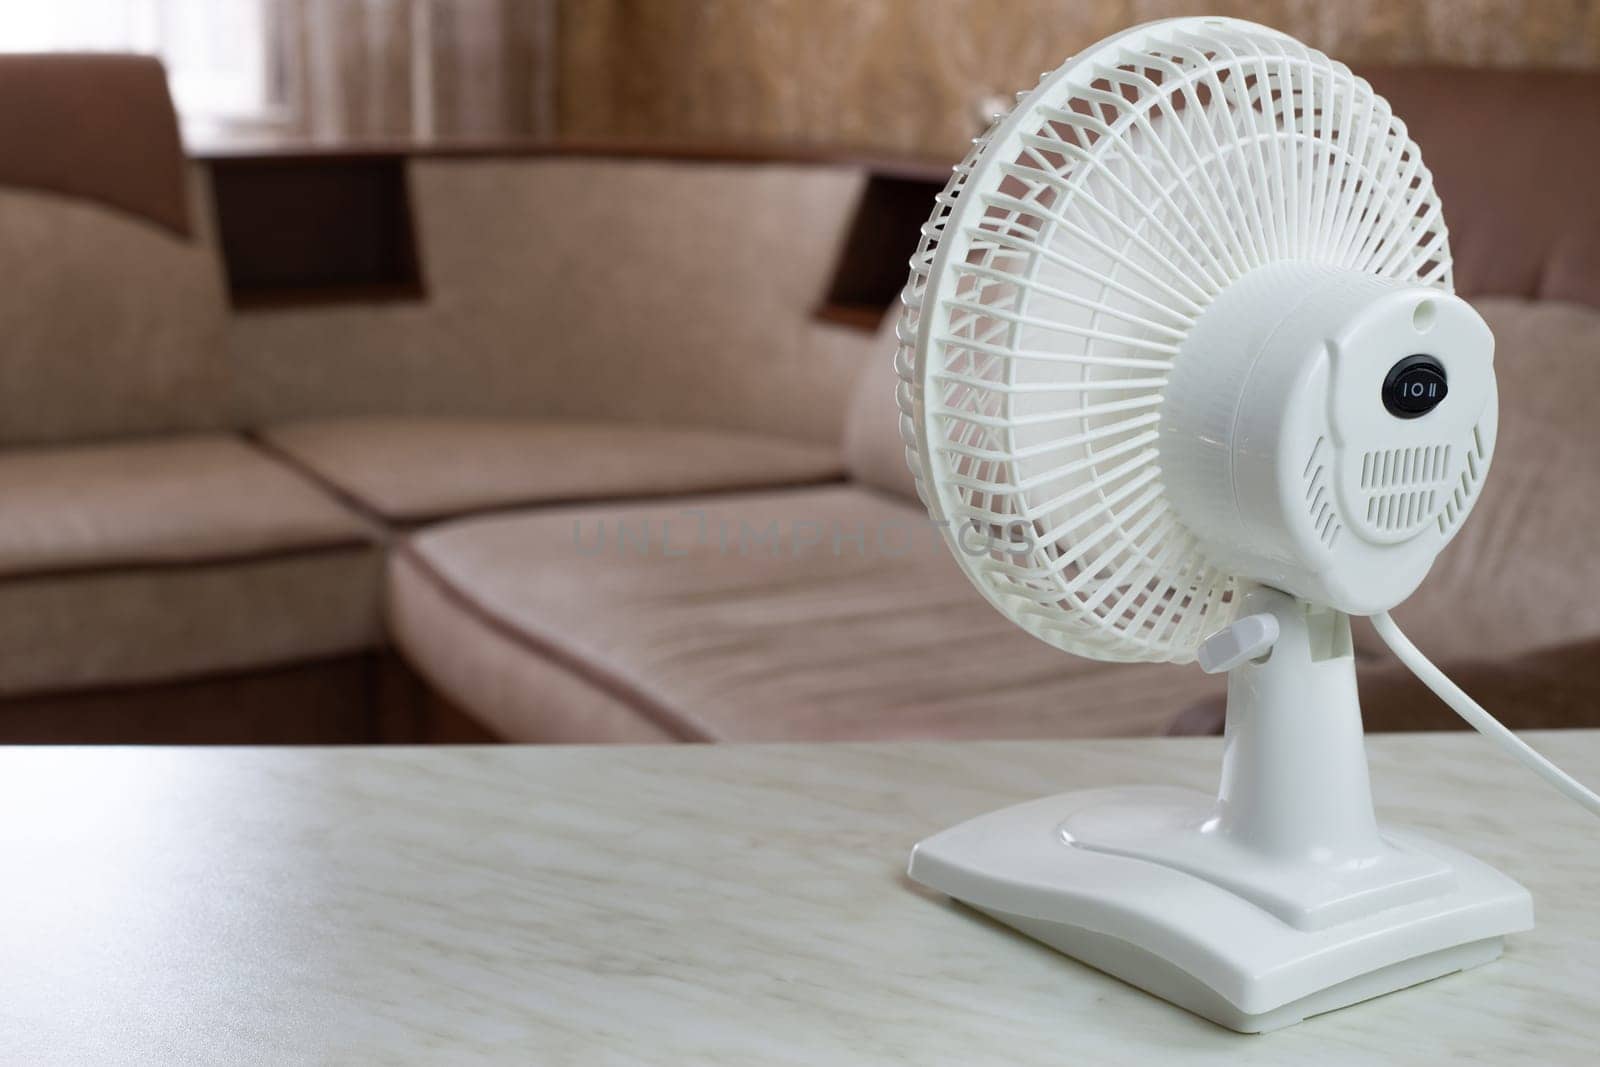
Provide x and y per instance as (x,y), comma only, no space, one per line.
(111,300)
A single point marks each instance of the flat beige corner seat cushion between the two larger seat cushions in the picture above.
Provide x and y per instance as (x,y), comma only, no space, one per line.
(418,468)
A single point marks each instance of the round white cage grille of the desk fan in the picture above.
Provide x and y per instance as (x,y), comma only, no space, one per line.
(1073,252)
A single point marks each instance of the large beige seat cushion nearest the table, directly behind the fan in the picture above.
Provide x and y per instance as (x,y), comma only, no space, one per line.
(828,613)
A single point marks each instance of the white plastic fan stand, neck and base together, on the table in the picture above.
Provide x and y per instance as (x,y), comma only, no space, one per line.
(1274,901)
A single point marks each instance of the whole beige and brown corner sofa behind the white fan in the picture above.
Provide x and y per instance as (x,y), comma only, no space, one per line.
(610,481)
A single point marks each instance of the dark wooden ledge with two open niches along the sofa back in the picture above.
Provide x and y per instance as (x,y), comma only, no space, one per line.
(332,223)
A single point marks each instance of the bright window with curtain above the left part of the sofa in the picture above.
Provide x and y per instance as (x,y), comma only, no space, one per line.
(324,71)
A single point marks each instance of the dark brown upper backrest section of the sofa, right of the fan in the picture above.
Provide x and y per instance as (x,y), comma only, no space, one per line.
(1514,156)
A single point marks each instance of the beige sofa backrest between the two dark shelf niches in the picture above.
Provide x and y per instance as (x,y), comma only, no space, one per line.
(588,287)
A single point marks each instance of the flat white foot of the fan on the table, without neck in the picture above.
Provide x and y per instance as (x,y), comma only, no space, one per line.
(1202,946)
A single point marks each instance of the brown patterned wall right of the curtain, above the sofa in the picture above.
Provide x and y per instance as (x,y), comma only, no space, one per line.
(916,76)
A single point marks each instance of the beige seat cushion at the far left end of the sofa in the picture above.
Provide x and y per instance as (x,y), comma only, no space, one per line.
(170,559)
